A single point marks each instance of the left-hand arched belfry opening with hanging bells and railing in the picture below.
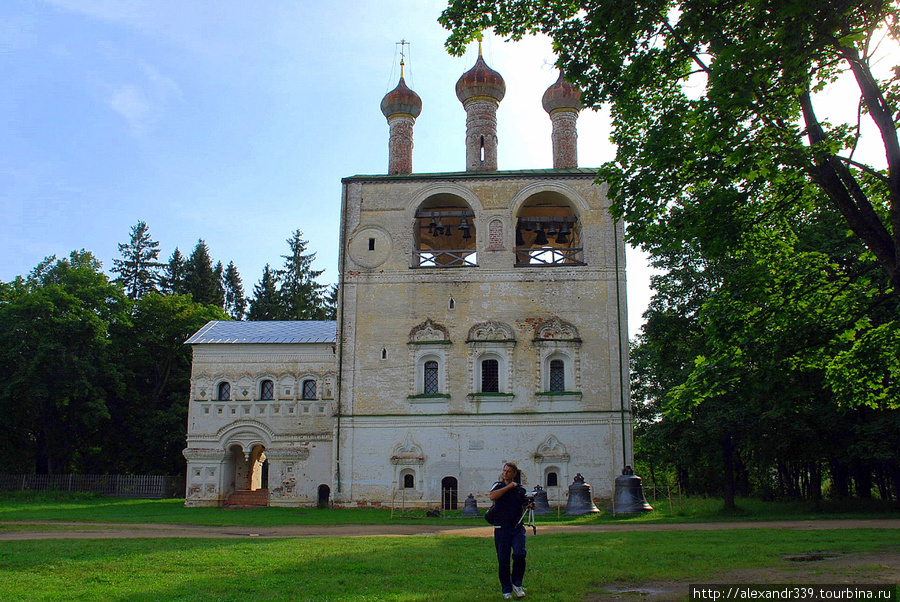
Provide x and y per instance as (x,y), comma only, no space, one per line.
(444,233)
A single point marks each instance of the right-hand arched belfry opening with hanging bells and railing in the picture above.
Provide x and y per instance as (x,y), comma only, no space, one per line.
(548,232)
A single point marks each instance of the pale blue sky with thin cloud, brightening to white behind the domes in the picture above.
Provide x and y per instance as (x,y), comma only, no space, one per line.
(235,122)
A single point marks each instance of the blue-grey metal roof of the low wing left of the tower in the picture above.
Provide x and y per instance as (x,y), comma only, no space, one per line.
(218,331)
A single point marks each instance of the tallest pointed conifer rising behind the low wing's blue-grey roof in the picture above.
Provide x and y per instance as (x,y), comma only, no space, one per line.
(301,295)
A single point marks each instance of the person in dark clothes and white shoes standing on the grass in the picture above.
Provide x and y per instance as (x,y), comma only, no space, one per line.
(509,533)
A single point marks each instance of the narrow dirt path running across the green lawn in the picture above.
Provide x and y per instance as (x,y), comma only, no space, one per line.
(17,531)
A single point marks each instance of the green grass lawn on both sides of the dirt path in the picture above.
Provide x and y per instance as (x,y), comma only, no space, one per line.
(447,567)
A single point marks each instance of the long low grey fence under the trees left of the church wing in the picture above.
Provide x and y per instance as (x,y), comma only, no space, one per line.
(125,486)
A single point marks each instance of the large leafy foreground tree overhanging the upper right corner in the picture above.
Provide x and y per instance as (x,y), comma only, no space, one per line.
(715,110)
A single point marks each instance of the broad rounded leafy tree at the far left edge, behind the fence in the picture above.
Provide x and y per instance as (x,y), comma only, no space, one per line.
(57,366)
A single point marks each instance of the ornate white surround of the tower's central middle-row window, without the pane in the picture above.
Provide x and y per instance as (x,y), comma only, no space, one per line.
(491,340)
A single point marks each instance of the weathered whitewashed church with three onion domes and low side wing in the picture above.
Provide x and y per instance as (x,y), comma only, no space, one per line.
(481,319)
